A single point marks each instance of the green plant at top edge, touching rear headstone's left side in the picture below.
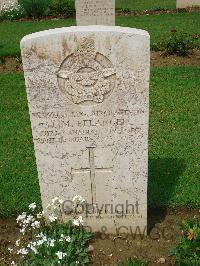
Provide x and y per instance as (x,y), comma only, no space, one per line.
(65,8)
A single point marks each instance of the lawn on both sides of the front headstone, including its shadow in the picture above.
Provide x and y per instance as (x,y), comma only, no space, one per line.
(173,151)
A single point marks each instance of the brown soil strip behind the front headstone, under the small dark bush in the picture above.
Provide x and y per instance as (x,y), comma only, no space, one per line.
(157,59)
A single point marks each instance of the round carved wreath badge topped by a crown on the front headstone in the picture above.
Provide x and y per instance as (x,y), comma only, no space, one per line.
(86,76)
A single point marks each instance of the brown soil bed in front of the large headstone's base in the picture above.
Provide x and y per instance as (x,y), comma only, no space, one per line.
(163,232)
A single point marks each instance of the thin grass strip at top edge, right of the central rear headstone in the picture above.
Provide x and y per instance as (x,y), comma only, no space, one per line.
(146,4)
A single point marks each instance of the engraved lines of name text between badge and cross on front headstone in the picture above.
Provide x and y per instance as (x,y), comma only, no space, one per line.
(77,127)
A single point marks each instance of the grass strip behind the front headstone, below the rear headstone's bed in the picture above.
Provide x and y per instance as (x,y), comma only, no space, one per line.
(159,27)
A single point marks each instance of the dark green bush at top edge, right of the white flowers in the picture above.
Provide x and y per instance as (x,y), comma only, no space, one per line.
(35,8)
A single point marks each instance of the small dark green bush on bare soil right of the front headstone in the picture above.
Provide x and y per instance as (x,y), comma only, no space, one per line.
(178,44)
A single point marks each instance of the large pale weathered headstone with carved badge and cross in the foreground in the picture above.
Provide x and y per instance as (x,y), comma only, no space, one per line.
(88,96)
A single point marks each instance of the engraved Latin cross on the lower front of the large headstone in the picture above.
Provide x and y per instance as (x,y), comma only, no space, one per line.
(92,170)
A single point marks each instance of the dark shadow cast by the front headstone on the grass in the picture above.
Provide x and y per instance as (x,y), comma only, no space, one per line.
(164,175)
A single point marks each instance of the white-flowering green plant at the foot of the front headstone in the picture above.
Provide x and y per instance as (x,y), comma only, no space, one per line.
(47,240)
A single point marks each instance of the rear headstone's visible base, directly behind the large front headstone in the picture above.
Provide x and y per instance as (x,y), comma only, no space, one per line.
(95,12)
